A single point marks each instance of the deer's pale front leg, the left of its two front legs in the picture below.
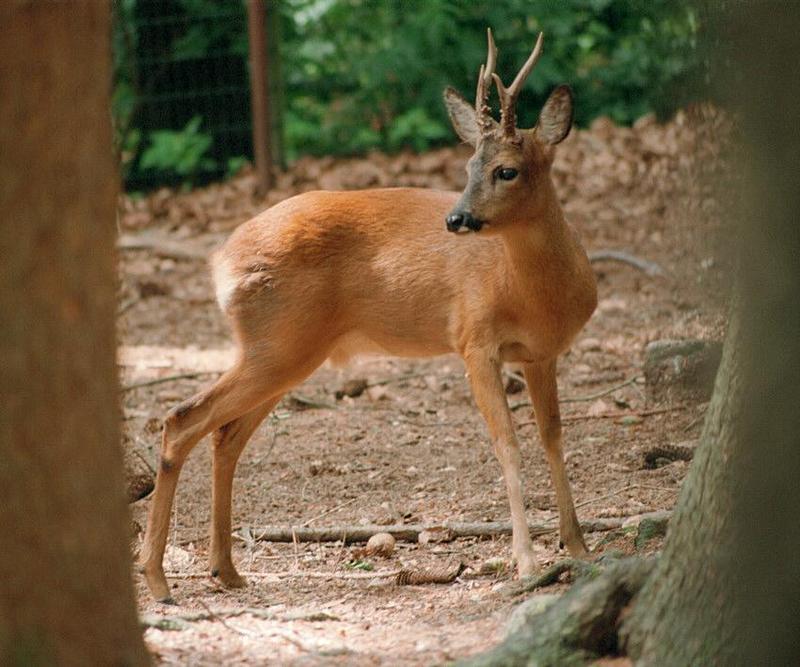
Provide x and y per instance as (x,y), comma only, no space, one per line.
(490,396)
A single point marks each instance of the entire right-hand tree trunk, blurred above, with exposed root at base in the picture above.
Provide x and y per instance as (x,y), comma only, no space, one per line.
(726,589)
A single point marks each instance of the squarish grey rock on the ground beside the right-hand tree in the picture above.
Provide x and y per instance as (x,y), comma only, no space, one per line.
(678,370)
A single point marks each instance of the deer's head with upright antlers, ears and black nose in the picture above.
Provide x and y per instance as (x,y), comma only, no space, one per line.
(509,171)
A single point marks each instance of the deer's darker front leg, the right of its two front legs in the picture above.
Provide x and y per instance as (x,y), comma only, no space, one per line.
(541,379)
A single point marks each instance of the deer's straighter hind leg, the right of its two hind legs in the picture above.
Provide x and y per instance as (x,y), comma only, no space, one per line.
(229,442)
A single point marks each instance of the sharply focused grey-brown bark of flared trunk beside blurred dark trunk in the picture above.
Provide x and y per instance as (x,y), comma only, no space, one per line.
(693,583)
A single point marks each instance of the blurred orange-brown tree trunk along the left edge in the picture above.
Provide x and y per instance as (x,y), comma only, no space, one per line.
(65,589)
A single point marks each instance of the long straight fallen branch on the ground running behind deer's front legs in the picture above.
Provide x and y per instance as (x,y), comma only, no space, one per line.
(410,532)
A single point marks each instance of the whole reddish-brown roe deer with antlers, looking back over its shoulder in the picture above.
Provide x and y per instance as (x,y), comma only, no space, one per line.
(329,274)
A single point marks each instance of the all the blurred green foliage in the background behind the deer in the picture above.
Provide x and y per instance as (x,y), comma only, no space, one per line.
(365,74)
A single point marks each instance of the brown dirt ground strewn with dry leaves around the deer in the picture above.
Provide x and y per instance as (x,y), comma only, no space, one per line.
(413,448)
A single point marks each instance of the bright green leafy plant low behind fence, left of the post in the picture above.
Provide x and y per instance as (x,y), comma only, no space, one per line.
(182,152)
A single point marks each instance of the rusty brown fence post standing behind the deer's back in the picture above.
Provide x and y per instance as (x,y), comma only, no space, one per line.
(259,85)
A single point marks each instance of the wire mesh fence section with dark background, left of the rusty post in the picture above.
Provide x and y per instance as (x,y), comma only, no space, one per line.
(182,93)
